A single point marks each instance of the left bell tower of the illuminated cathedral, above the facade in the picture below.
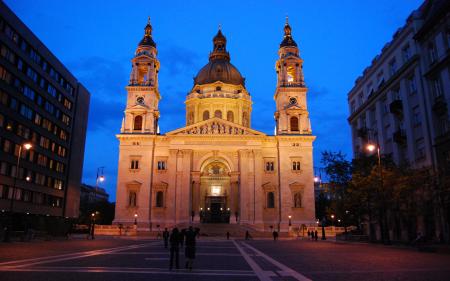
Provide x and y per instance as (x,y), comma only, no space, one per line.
(141,113)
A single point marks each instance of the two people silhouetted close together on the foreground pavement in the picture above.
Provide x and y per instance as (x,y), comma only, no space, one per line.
(175,240)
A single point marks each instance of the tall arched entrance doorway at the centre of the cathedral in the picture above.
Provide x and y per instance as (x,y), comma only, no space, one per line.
(215,193)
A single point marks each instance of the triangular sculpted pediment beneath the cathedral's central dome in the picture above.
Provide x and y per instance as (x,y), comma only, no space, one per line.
(215,126)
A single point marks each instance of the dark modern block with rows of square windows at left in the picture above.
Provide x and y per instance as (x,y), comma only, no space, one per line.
(42,104)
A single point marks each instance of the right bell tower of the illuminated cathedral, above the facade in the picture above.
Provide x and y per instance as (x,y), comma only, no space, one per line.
(291,113)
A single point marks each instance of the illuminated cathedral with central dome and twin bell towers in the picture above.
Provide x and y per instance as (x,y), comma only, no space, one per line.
(216,169)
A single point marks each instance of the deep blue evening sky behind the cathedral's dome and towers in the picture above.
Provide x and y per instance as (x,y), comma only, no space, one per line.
(97,39)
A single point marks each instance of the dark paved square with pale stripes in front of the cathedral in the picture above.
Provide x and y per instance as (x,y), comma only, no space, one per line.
(127,259)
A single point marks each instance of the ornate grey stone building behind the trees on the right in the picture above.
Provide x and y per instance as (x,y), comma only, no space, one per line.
(401,100)
